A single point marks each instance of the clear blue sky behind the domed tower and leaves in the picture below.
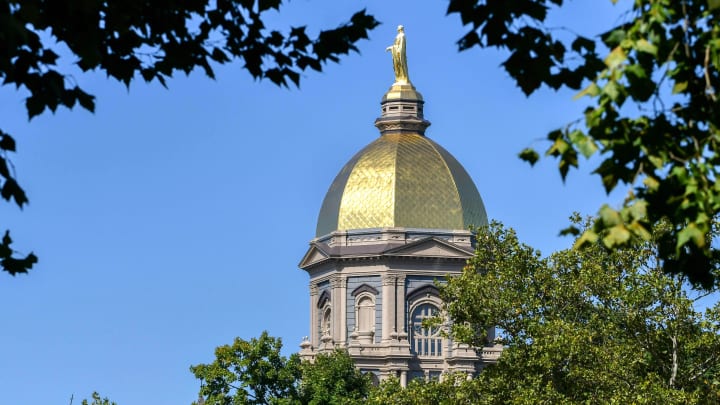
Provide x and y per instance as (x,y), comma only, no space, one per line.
(171,221)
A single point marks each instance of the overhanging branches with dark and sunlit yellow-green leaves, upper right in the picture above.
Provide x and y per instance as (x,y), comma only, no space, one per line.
(653,119)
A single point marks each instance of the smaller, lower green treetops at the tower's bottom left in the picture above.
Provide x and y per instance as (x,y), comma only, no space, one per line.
(254,372)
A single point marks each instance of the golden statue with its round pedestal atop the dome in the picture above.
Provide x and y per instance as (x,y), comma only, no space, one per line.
(402,105)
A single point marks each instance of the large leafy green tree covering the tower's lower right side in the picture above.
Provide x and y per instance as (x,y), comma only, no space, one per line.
(585,325)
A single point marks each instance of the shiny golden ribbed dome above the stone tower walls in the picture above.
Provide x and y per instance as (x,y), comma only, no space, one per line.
(401,179)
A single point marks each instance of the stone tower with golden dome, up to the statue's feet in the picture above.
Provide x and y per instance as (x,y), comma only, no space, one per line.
(394,220)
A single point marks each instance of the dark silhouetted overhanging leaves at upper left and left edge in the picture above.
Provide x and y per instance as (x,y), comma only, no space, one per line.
(134,39)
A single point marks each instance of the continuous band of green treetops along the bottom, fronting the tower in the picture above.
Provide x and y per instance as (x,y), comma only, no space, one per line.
(587,325)
